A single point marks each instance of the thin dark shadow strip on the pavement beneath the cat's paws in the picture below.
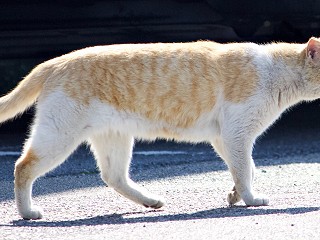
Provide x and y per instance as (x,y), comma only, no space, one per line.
(142,217)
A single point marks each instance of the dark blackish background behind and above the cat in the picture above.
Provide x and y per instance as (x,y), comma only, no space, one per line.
(34,31)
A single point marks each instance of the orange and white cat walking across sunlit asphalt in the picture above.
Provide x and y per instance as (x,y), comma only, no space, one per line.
(223,94)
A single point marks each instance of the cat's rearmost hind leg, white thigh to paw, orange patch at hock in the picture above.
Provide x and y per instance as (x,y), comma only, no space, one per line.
(57,131)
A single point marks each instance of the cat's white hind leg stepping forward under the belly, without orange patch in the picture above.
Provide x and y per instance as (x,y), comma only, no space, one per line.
(113,152)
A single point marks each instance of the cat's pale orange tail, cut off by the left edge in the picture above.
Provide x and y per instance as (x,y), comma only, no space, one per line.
(24,95)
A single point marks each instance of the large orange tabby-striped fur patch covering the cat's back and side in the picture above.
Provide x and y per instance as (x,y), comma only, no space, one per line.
(173,83)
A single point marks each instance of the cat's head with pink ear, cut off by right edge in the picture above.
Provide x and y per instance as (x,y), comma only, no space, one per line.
(312,66)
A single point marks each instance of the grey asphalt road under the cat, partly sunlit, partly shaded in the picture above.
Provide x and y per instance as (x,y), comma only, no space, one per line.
(194,182)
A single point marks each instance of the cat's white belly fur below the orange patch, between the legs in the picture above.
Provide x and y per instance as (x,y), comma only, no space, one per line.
(106,118)
